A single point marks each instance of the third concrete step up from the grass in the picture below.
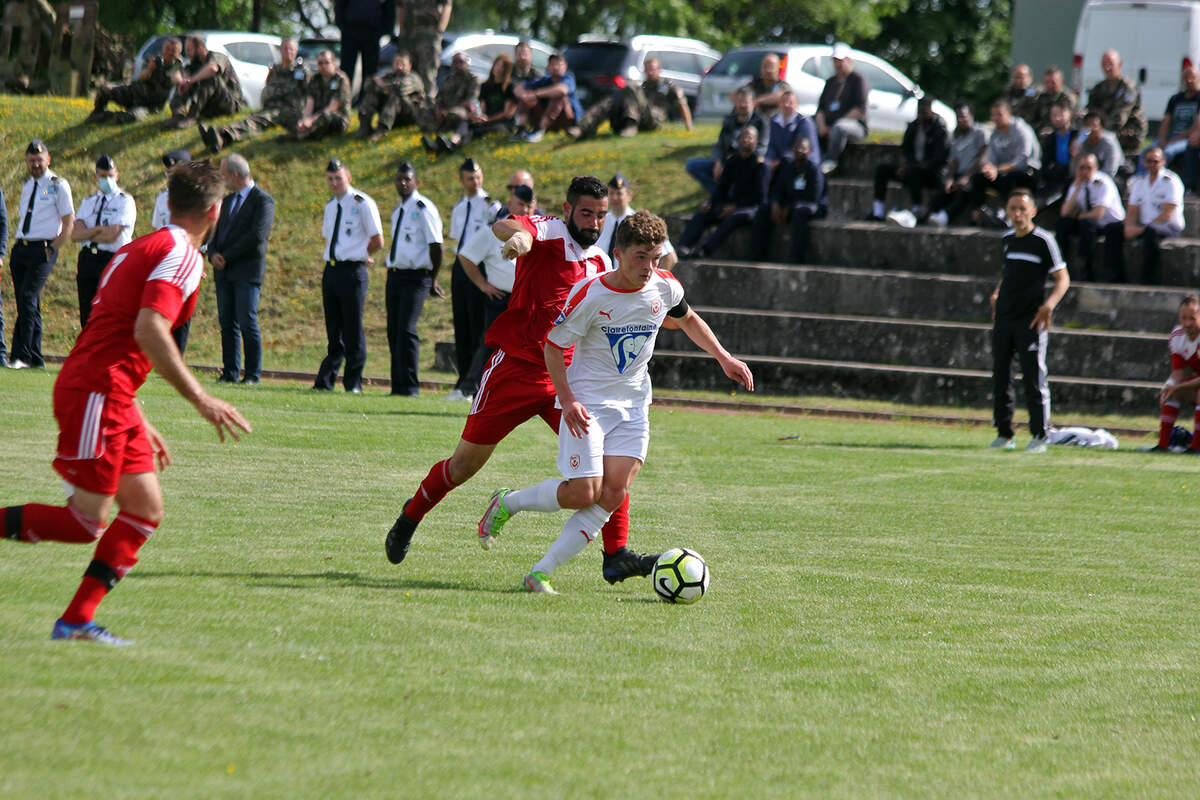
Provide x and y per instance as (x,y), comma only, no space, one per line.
(913,296)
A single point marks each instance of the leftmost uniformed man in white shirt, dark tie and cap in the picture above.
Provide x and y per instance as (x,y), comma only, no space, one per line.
(44,224)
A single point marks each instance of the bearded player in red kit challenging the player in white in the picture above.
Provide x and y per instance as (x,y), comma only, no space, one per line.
(553,256)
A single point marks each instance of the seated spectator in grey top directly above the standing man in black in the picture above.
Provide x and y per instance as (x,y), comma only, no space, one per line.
(1012,163)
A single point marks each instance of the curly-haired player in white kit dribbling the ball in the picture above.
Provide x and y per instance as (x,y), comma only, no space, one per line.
(613,322)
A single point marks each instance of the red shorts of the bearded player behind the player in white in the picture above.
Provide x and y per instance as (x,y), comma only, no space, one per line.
(511,393)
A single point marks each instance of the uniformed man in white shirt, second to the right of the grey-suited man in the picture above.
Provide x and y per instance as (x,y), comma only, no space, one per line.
(413,262)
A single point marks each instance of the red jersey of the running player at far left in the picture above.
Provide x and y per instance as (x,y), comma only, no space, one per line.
(160,272)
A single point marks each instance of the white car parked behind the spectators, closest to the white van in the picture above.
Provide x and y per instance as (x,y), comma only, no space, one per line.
(891,107)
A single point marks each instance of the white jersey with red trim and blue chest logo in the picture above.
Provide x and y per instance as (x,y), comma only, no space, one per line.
(614,333)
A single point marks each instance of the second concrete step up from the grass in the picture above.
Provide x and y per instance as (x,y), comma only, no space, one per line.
(921,344)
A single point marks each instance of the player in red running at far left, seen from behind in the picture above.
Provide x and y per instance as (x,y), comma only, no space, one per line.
(107,449)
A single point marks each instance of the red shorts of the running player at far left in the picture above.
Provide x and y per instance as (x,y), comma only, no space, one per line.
(100,440)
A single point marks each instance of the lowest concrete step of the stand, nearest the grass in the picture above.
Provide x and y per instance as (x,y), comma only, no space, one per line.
(922,386)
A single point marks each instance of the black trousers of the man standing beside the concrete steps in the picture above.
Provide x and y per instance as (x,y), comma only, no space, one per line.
(1013,338)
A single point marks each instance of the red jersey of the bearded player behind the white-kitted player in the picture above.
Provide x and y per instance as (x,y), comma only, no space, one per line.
(544,278)
